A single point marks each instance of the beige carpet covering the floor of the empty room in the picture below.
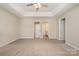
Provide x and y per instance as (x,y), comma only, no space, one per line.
(29,47)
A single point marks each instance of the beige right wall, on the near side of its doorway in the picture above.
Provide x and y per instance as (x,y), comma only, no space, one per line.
(72,26)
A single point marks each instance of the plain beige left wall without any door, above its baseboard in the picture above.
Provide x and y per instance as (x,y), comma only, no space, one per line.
(9,27)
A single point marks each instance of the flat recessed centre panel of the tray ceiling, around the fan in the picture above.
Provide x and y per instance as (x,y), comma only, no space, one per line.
(31,8)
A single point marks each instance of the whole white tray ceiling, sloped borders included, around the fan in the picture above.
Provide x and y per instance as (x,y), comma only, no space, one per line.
(21,10)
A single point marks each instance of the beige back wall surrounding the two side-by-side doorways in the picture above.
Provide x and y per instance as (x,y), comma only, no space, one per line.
(27,26)
